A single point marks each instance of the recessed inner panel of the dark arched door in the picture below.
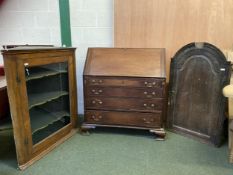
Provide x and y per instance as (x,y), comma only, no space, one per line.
(196,96)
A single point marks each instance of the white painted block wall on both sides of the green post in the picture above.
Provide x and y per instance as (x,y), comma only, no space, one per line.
(38,22)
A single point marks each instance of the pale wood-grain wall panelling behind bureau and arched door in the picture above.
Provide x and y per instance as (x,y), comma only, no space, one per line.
(172,24)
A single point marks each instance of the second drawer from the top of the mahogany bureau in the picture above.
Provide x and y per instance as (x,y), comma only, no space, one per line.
(124,92)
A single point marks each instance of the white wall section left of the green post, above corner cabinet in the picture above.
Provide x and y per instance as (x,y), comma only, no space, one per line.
(29,22)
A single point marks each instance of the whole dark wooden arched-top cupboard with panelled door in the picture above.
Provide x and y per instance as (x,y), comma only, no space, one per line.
(199,71)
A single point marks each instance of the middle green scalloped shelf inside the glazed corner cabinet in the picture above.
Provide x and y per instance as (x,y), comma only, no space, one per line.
(42,98)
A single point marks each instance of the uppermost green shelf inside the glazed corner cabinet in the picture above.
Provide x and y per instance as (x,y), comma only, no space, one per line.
(42,72)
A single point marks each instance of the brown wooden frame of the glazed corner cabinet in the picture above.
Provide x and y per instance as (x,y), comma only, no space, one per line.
(15,61)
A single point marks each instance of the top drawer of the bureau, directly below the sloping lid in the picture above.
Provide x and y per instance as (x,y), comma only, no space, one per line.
(125,82)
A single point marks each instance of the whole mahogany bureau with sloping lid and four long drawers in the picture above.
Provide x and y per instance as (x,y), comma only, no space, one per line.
(125,88)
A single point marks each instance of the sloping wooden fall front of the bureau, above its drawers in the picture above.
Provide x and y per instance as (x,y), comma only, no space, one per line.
(148,62)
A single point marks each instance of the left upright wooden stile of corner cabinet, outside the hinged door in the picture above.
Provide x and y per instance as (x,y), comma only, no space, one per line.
(15,102)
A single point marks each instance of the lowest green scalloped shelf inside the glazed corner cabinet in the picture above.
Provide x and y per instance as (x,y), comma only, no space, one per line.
(40,118)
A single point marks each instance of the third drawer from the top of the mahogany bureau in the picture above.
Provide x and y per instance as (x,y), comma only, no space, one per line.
(130,104)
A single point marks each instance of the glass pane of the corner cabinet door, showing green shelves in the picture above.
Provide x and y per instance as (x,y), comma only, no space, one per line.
(48,99)
